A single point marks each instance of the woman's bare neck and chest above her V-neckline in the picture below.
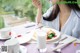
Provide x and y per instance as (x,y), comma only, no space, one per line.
(65,12)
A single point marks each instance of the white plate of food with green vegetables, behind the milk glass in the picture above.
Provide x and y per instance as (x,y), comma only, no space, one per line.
(52,34)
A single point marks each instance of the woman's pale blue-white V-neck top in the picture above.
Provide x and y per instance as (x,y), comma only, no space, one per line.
(71,27)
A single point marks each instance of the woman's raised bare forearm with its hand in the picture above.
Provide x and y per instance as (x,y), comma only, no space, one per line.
(38,5)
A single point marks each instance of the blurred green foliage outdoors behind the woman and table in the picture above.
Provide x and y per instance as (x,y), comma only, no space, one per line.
(21,8)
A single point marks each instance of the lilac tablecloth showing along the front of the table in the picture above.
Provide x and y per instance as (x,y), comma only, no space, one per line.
(32,47)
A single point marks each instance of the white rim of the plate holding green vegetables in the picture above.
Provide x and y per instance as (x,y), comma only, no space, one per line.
(46,29)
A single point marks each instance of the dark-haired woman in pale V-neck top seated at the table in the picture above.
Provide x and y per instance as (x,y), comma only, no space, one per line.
(62,17)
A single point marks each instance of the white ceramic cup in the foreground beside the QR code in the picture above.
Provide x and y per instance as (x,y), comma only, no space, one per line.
(12,46)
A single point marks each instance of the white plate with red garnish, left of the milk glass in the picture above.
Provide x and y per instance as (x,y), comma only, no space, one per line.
(22,38)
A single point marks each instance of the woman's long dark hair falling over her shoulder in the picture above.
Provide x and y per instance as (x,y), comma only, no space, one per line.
(55,11)
